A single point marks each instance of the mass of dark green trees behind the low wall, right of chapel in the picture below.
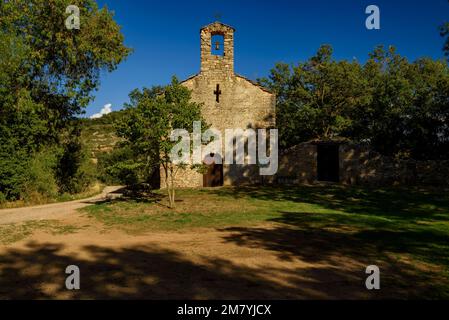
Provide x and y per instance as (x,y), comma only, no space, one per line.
(401,108)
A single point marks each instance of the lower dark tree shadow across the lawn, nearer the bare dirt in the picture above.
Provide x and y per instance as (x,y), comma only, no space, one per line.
(300,236)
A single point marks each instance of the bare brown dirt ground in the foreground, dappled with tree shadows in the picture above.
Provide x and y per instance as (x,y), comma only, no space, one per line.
(188,265)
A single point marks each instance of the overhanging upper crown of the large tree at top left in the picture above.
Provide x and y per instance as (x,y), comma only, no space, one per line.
(62,66)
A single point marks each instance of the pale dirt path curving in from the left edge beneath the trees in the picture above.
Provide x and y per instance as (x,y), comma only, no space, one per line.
(54,210)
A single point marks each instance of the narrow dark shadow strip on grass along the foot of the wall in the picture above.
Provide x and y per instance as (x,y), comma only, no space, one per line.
(396,203)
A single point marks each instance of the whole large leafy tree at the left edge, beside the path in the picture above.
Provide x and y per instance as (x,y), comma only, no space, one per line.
(47,76)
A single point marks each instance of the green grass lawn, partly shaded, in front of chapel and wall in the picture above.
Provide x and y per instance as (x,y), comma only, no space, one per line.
(386,224)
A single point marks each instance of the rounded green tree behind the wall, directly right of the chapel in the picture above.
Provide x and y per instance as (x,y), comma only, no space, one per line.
(316,99)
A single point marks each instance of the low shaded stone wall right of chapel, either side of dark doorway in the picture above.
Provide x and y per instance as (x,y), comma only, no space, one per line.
(359,165)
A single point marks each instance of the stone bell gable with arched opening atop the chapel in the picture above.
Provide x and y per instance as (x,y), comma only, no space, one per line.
(217,49)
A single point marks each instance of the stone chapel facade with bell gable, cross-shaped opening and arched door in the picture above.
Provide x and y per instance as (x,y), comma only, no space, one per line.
(230,101)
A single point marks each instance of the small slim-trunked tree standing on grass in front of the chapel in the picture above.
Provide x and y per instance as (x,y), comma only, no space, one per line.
(147,125)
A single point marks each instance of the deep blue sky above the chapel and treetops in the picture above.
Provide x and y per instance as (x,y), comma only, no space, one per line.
(165,36)
